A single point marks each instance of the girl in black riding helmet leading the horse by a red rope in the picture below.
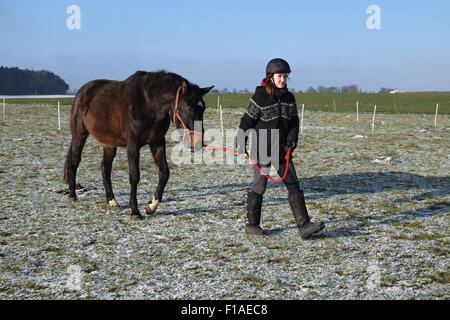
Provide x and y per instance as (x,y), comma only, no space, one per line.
(273,107)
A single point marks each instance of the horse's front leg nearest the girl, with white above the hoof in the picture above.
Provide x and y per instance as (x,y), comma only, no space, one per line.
(159,155)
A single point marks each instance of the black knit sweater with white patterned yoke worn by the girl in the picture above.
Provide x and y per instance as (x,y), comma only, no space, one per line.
(278,112)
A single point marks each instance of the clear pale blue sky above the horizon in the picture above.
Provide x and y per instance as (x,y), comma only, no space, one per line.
(228,43)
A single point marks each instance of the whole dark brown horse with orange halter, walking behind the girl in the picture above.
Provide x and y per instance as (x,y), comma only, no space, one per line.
(130,114)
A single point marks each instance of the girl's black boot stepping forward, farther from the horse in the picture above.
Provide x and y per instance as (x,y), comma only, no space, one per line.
(305,227)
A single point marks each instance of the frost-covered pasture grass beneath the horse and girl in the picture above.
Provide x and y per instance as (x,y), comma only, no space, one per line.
(386,235)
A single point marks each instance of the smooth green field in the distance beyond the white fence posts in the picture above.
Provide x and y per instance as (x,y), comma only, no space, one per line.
(412,102)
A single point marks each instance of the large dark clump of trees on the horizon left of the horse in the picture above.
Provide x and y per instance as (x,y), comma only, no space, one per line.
(17,81)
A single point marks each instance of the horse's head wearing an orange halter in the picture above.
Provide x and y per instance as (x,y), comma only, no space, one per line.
(188,113)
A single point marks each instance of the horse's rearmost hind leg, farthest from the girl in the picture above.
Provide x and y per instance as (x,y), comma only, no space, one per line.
(73,160)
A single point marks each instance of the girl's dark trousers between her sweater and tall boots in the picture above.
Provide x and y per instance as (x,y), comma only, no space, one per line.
(290,181)
